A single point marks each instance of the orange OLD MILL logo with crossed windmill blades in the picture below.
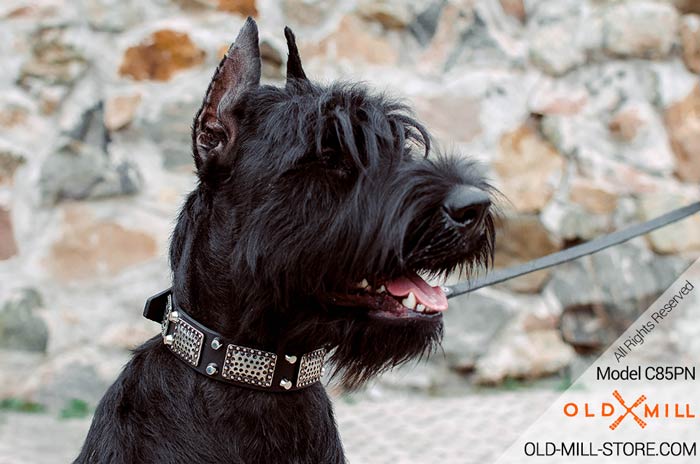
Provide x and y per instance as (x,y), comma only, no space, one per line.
(640,411)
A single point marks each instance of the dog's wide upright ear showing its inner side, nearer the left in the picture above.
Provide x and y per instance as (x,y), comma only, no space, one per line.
(215,127)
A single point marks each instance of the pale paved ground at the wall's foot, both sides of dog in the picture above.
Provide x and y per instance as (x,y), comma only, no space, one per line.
(410,430)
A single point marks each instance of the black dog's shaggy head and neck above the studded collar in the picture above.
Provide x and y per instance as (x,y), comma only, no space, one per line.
(318,215)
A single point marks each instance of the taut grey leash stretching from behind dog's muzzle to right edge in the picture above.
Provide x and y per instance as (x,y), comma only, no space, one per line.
(575,252)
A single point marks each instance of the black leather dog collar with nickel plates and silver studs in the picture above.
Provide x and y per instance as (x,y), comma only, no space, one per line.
(216,357)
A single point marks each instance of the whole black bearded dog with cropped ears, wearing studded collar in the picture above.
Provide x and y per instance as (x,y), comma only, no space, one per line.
(316,209)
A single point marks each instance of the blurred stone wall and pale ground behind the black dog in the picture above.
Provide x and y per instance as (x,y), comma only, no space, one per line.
(586,114)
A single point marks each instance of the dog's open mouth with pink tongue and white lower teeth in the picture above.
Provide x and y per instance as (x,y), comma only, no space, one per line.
(406,296)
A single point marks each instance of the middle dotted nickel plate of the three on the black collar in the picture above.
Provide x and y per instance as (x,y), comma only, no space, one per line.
(248,365)
